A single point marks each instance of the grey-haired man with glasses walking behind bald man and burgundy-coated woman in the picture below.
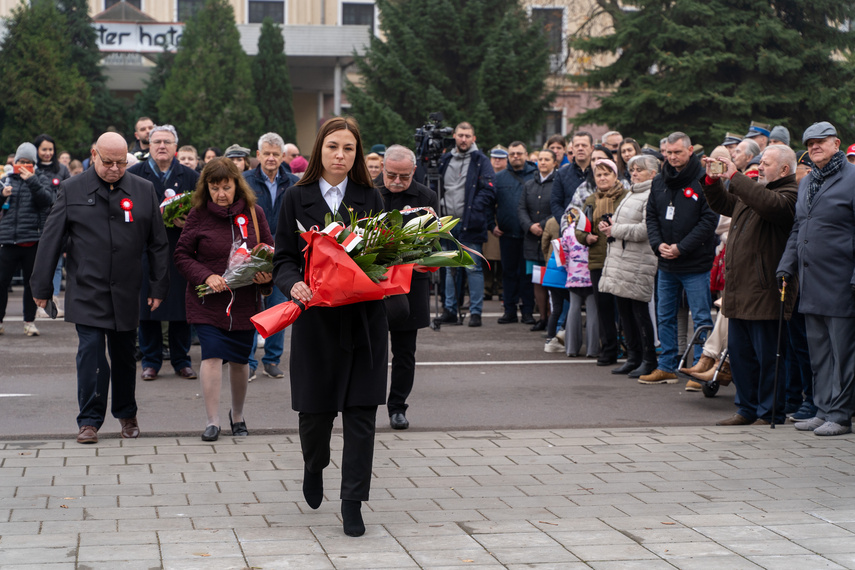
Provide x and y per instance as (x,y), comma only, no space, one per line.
(164,171)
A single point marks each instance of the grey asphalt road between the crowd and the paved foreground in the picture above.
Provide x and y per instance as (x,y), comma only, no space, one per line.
(493,377)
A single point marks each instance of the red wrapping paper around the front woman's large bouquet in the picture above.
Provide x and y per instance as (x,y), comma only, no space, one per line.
(335,280)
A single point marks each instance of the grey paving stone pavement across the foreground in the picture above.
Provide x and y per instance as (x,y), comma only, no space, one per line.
(651,498)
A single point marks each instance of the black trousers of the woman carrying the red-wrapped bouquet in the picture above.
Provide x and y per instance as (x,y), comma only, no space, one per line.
(357,456)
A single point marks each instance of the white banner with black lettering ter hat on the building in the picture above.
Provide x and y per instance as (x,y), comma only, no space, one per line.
(137,37)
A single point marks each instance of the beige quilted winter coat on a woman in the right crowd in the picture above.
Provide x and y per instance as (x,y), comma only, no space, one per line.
(630,266)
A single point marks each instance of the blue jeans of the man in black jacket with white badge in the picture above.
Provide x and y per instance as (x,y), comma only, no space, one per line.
(697,287)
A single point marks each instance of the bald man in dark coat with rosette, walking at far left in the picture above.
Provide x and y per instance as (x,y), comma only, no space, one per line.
(110,219)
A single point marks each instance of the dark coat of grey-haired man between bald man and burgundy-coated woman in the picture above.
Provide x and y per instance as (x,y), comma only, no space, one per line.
(181,179)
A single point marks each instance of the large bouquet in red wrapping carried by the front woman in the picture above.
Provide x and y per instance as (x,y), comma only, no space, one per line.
(366,260)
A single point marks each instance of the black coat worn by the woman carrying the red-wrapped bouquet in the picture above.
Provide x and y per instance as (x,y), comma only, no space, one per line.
(339,355)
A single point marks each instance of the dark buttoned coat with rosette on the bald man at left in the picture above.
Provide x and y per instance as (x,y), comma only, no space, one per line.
(103,252)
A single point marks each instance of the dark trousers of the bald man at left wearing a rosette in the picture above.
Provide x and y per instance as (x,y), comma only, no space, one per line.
(94,374)
